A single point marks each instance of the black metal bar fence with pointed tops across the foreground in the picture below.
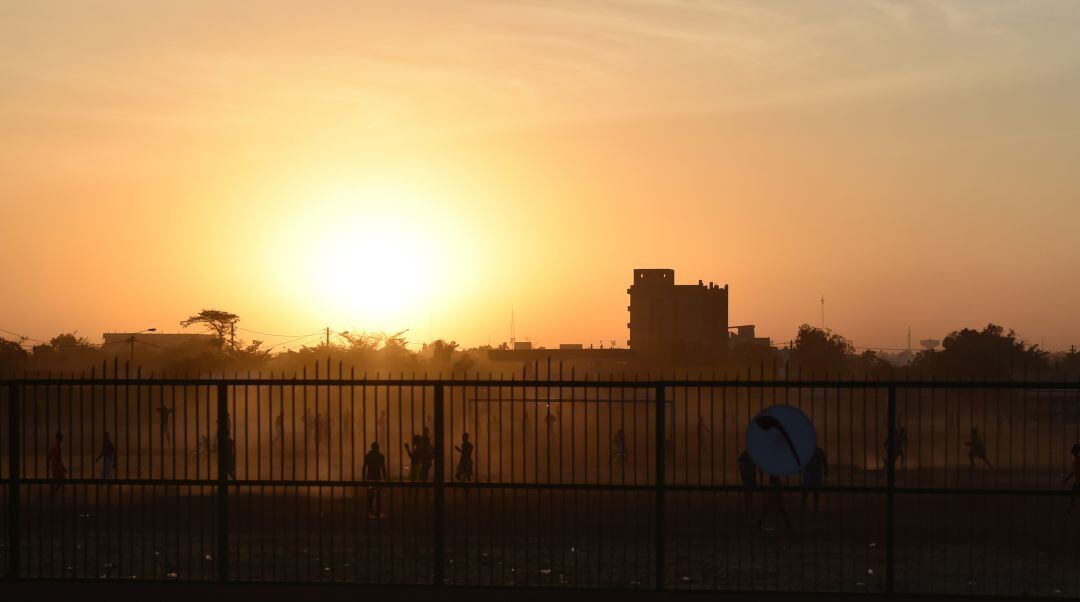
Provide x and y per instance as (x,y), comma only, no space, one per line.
(573,483)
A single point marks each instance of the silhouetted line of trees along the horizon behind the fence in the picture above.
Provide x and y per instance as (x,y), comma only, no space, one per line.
(991,353)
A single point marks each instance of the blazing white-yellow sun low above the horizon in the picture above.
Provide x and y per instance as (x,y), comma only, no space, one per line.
(375,259)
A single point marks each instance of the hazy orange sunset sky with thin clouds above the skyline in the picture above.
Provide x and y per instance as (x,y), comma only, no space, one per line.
(435,166)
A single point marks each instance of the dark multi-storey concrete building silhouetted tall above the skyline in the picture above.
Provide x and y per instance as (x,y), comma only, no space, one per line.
(677,322)
